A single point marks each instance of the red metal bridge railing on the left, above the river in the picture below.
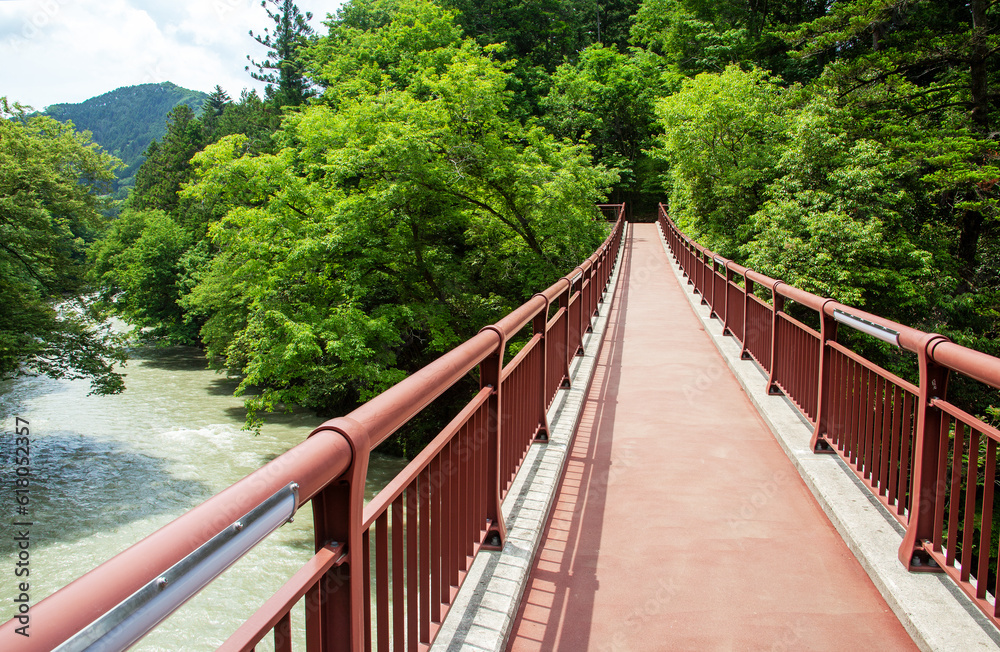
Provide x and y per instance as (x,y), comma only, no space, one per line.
(422,530)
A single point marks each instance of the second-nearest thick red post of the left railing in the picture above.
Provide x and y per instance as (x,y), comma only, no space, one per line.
(489,376)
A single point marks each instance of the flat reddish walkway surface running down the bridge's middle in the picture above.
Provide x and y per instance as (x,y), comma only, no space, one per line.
(680,524)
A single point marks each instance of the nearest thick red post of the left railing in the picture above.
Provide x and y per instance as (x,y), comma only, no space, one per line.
(335,610)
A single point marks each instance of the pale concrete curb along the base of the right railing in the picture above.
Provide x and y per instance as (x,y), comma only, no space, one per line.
(935,612)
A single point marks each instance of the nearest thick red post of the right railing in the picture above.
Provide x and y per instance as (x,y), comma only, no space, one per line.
(926,490)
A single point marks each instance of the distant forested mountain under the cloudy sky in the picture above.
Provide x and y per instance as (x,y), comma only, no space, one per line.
(126,120)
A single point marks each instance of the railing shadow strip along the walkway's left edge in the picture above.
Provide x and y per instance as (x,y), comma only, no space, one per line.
(558,603)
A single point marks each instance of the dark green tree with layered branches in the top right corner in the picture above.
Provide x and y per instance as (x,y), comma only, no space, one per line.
(925,76)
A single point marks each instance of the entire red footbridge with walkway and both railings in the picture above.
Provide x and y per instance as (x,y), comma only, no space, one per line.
(678,523)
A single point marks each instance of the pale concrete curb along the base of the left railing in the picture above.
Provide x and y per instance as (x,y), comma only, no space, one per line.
(481,617)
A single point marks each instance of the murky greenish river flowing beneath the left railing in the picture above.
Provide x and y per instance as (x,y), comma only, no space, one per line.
(109,470)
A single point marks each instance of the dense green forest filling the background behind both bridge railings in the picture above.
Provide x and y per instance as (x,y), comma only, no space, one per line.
(418,168)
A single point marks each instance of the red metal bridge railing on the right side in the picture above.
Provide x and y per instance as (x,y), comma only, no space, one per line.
(907,443)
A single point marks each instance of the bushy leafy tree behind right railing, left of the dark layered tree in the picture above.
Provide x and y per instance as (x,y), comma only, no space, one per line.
(840,222)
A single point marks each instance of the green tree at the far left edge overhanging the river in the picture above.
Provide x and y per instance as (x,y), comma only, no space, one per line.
(53,188)
